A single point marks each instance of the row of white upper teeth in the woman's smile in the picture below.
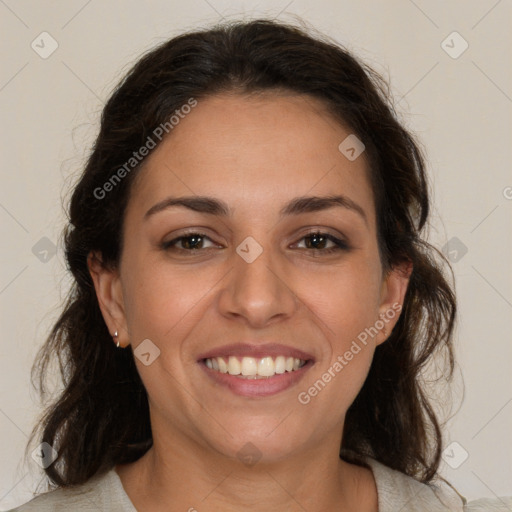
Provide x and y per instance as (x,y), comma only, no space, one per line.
(250,367)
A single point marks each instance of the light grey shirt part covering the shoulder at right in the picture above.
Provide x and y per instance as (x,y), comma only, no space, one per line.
(397,491)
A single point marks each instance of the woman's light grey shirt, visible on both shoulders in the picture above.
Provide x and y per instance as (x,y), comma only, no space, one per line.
(396,492)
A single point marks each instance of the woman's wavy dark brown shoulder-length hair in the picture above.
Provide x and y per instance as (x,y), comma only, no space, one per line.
(101,418)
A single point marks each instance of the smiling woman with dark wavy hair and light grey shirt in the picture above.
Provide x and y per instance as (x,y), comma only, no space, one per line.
(253,301)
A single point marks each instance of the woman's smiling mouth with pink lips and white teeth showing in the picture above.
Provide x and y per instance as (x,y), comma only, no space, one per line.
(256,371)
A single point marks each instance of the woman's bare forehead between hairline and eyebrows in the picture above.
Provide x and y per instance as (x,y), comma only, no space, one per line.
(254,152)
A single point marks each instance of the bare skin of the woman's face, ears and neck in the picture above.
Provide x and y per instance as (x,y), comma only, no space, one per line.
(255,154)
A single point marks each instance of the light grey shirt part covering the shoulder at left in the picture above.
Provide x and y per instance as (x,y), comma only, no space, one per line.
(102,492)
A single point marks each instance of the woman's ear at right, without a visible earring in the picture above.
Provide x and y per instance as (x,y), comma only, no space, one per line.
(393,290)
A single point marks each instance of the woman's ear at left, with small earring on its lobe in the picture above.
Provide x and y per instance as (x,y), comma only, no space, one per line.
(107,284)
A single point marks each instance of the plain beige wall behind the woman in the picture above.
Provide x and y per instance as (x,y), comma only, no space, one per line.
(460,108)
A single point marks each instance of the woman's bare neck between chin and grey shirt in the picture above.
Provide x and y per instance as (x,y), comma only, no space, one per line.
(185,476)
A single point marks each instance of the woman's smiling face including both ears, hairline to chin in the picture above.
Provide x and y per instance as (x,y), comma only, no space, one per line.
(251,288)
